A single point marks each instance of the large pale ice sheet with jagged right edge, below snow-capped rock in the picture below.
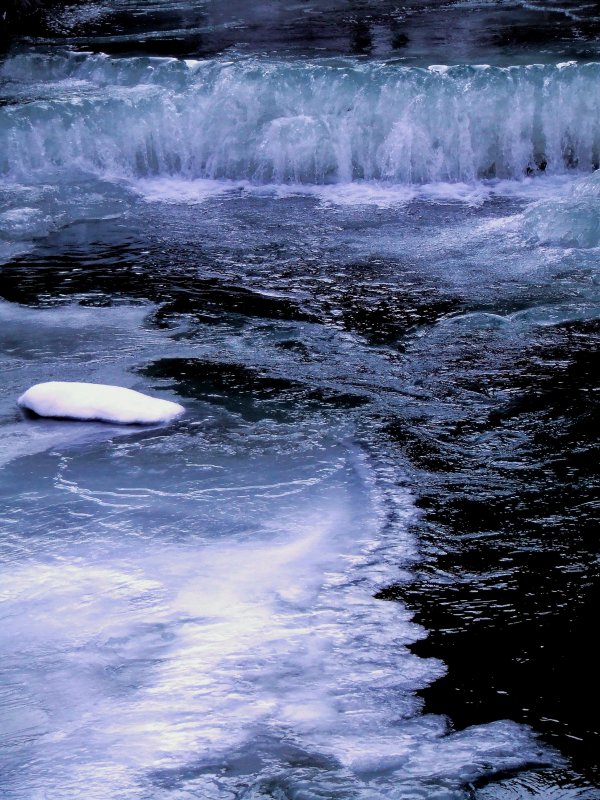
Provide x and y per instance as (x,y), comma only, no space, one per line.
(191,609)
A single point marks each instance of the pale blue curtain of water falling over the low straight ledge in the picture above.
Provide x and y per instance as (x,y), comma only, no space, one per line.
(282,121)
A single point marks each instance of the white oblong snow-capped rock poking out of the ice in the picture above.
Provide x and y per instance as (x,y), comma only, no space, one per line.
(97,401)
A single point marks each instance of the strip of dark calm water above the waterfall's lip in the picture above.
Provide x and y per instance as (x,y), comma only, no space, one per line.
(440,32)
